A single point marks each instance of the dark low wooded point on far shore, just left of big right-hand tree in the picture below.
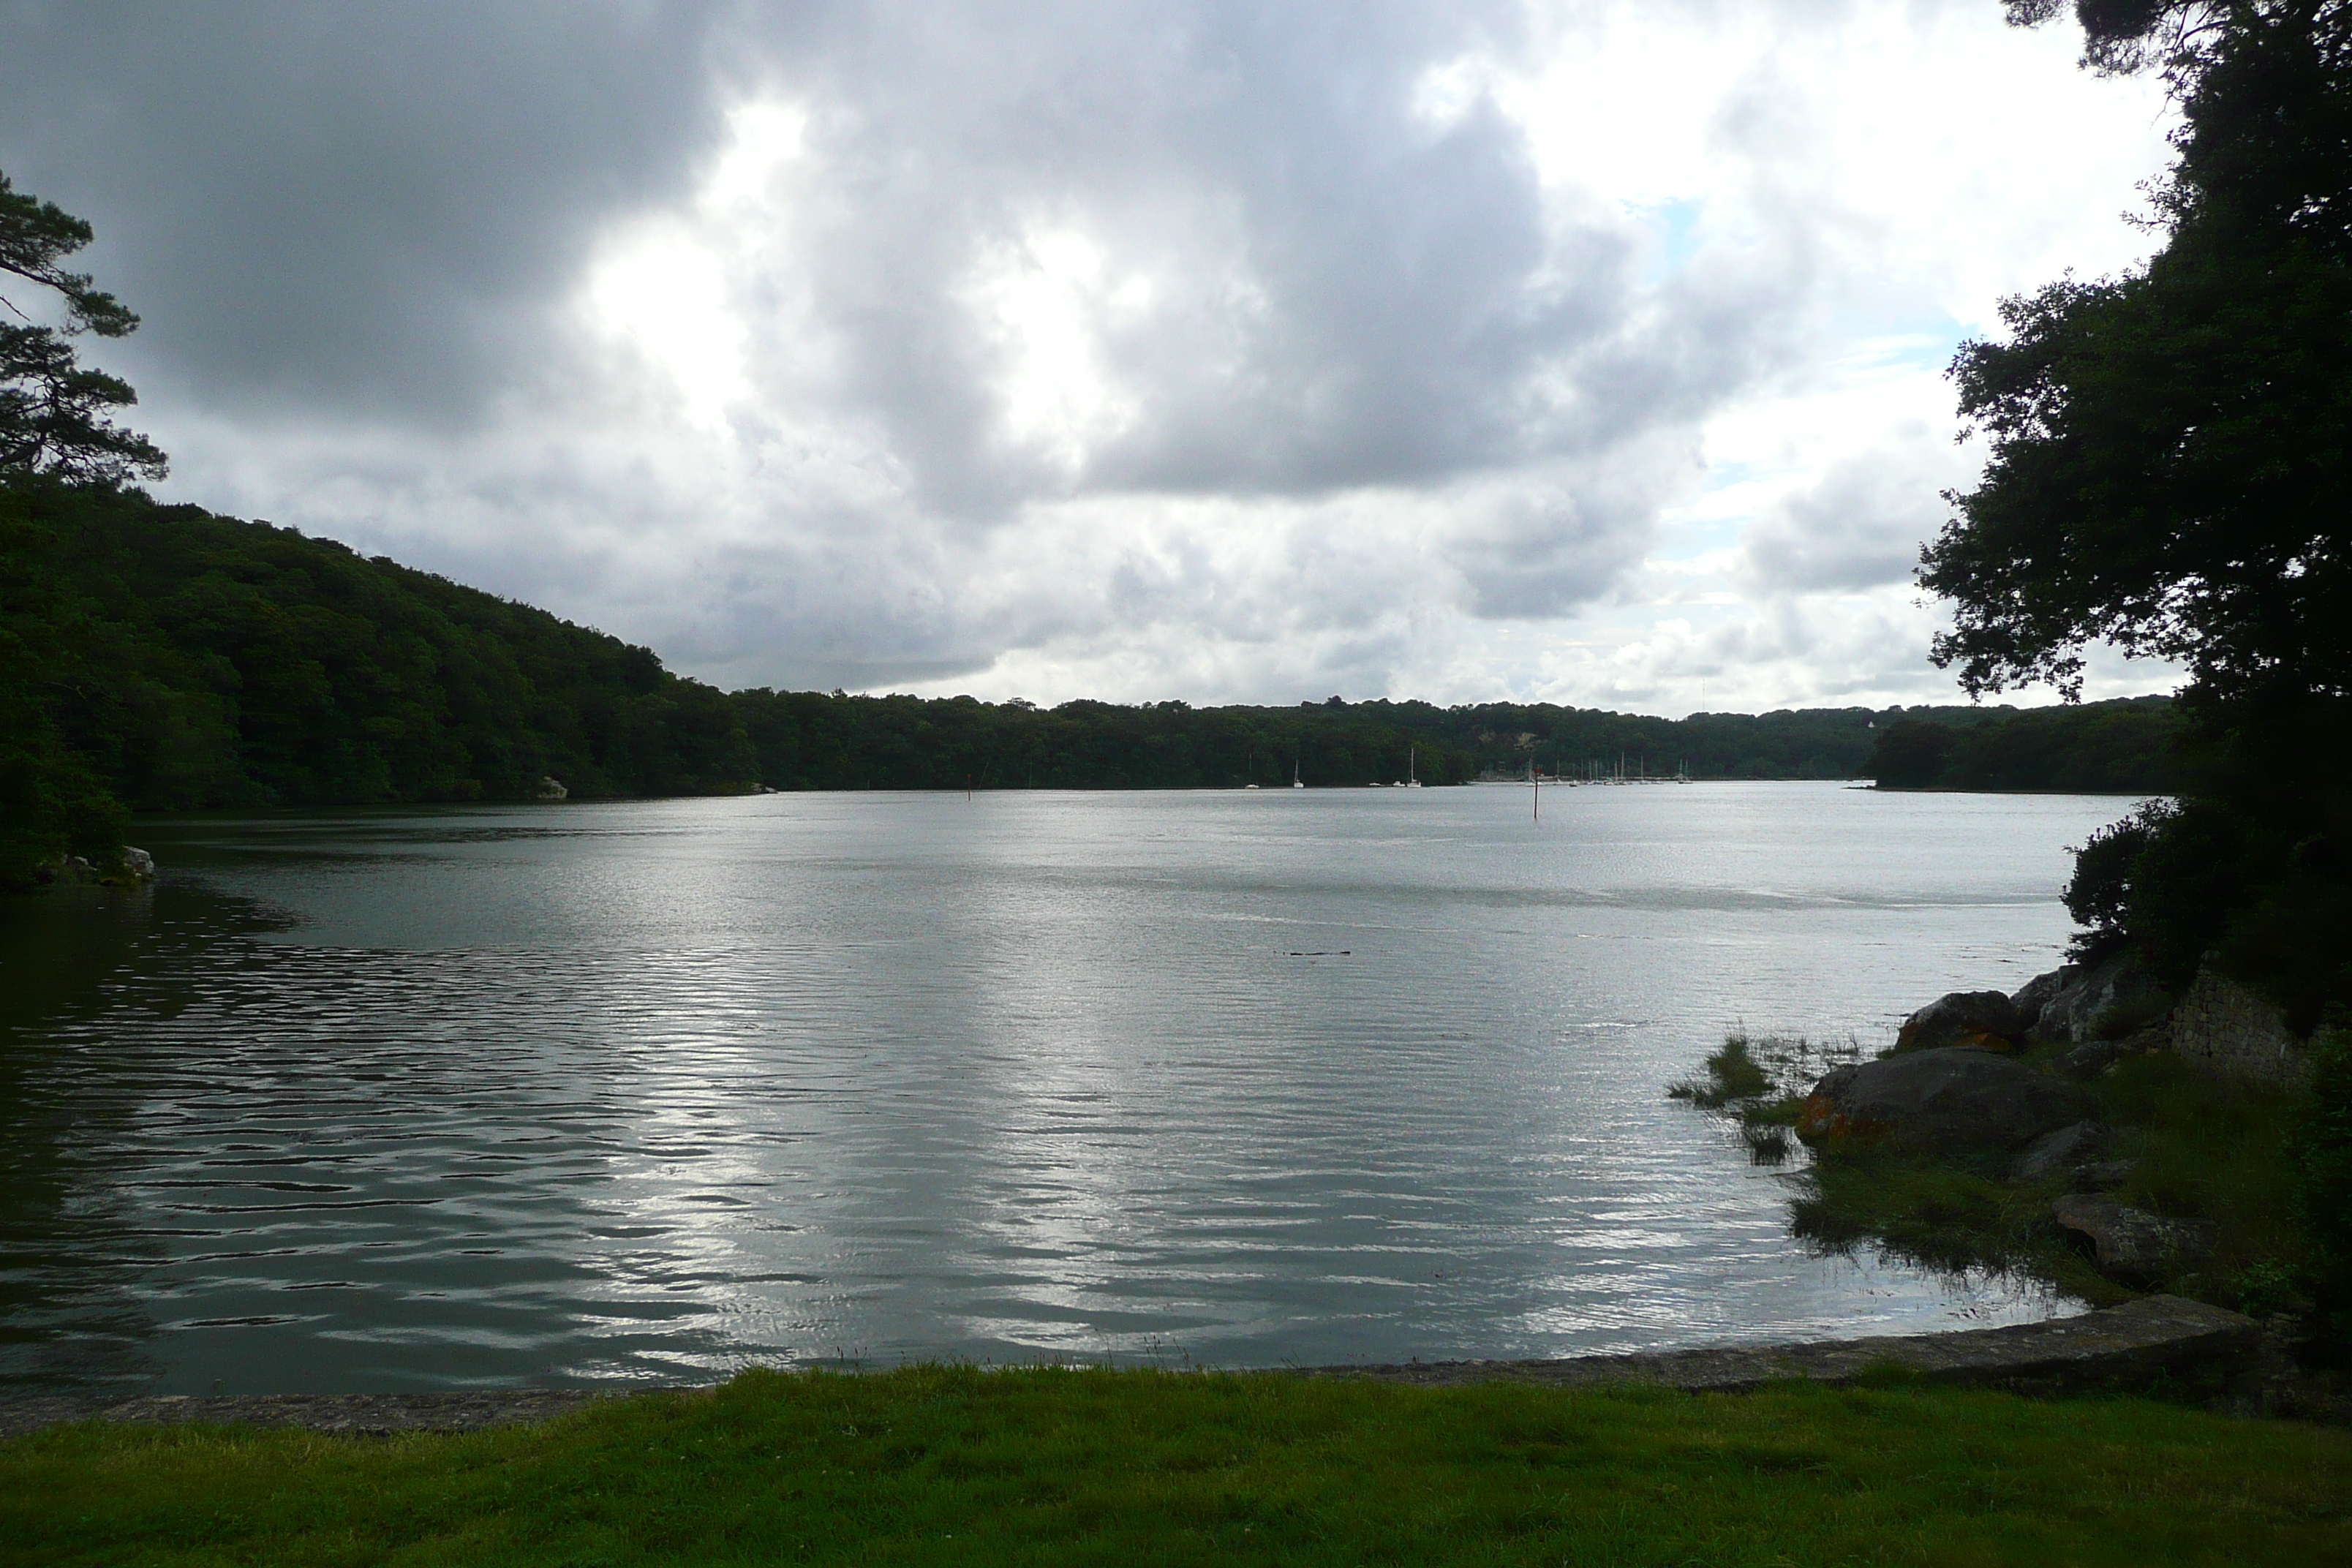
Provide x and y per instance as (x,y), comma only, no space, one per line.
(2127,746)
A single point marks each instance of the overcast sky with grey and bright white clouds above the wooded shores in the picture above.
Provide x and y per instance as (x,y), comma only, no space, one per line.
(1469,351)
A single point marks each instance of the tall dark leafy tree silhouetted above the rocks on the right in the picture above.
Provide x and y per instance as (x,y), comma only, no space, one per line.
(2170,474)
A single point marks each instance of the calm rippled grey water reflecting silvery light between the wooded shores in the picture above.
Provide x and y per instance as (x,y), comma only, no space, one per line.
(646,1092)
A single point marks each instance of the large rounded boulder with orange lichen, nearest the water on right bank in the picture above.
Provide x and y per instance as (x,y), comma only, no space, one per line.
(1946,1101)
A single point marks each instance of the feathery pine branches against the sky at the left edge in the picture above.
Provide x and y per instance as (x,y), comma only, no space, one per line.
(55,413)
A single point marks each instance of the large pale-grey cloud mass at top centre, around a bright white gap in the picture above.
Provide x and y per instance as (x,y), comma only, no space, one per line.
(1347,288)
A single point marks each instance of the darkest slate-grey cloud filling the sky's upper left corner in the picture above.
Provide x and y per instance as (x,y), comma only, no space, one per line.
(349,208)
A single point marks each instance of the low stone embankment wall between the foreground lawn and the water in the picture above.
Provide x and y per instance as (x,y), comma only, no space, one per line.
(2158,1339)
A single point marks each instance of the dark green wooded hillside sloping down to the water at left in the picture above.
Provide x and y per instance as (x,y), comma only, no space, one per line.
(163,659)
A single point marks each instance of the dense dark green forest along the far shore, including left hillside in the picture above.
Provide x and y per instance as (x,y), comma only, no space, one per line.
(163,659)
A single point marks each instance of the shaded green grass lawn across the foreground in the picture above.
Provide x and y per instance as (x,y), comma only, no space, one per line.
(954,1466)
